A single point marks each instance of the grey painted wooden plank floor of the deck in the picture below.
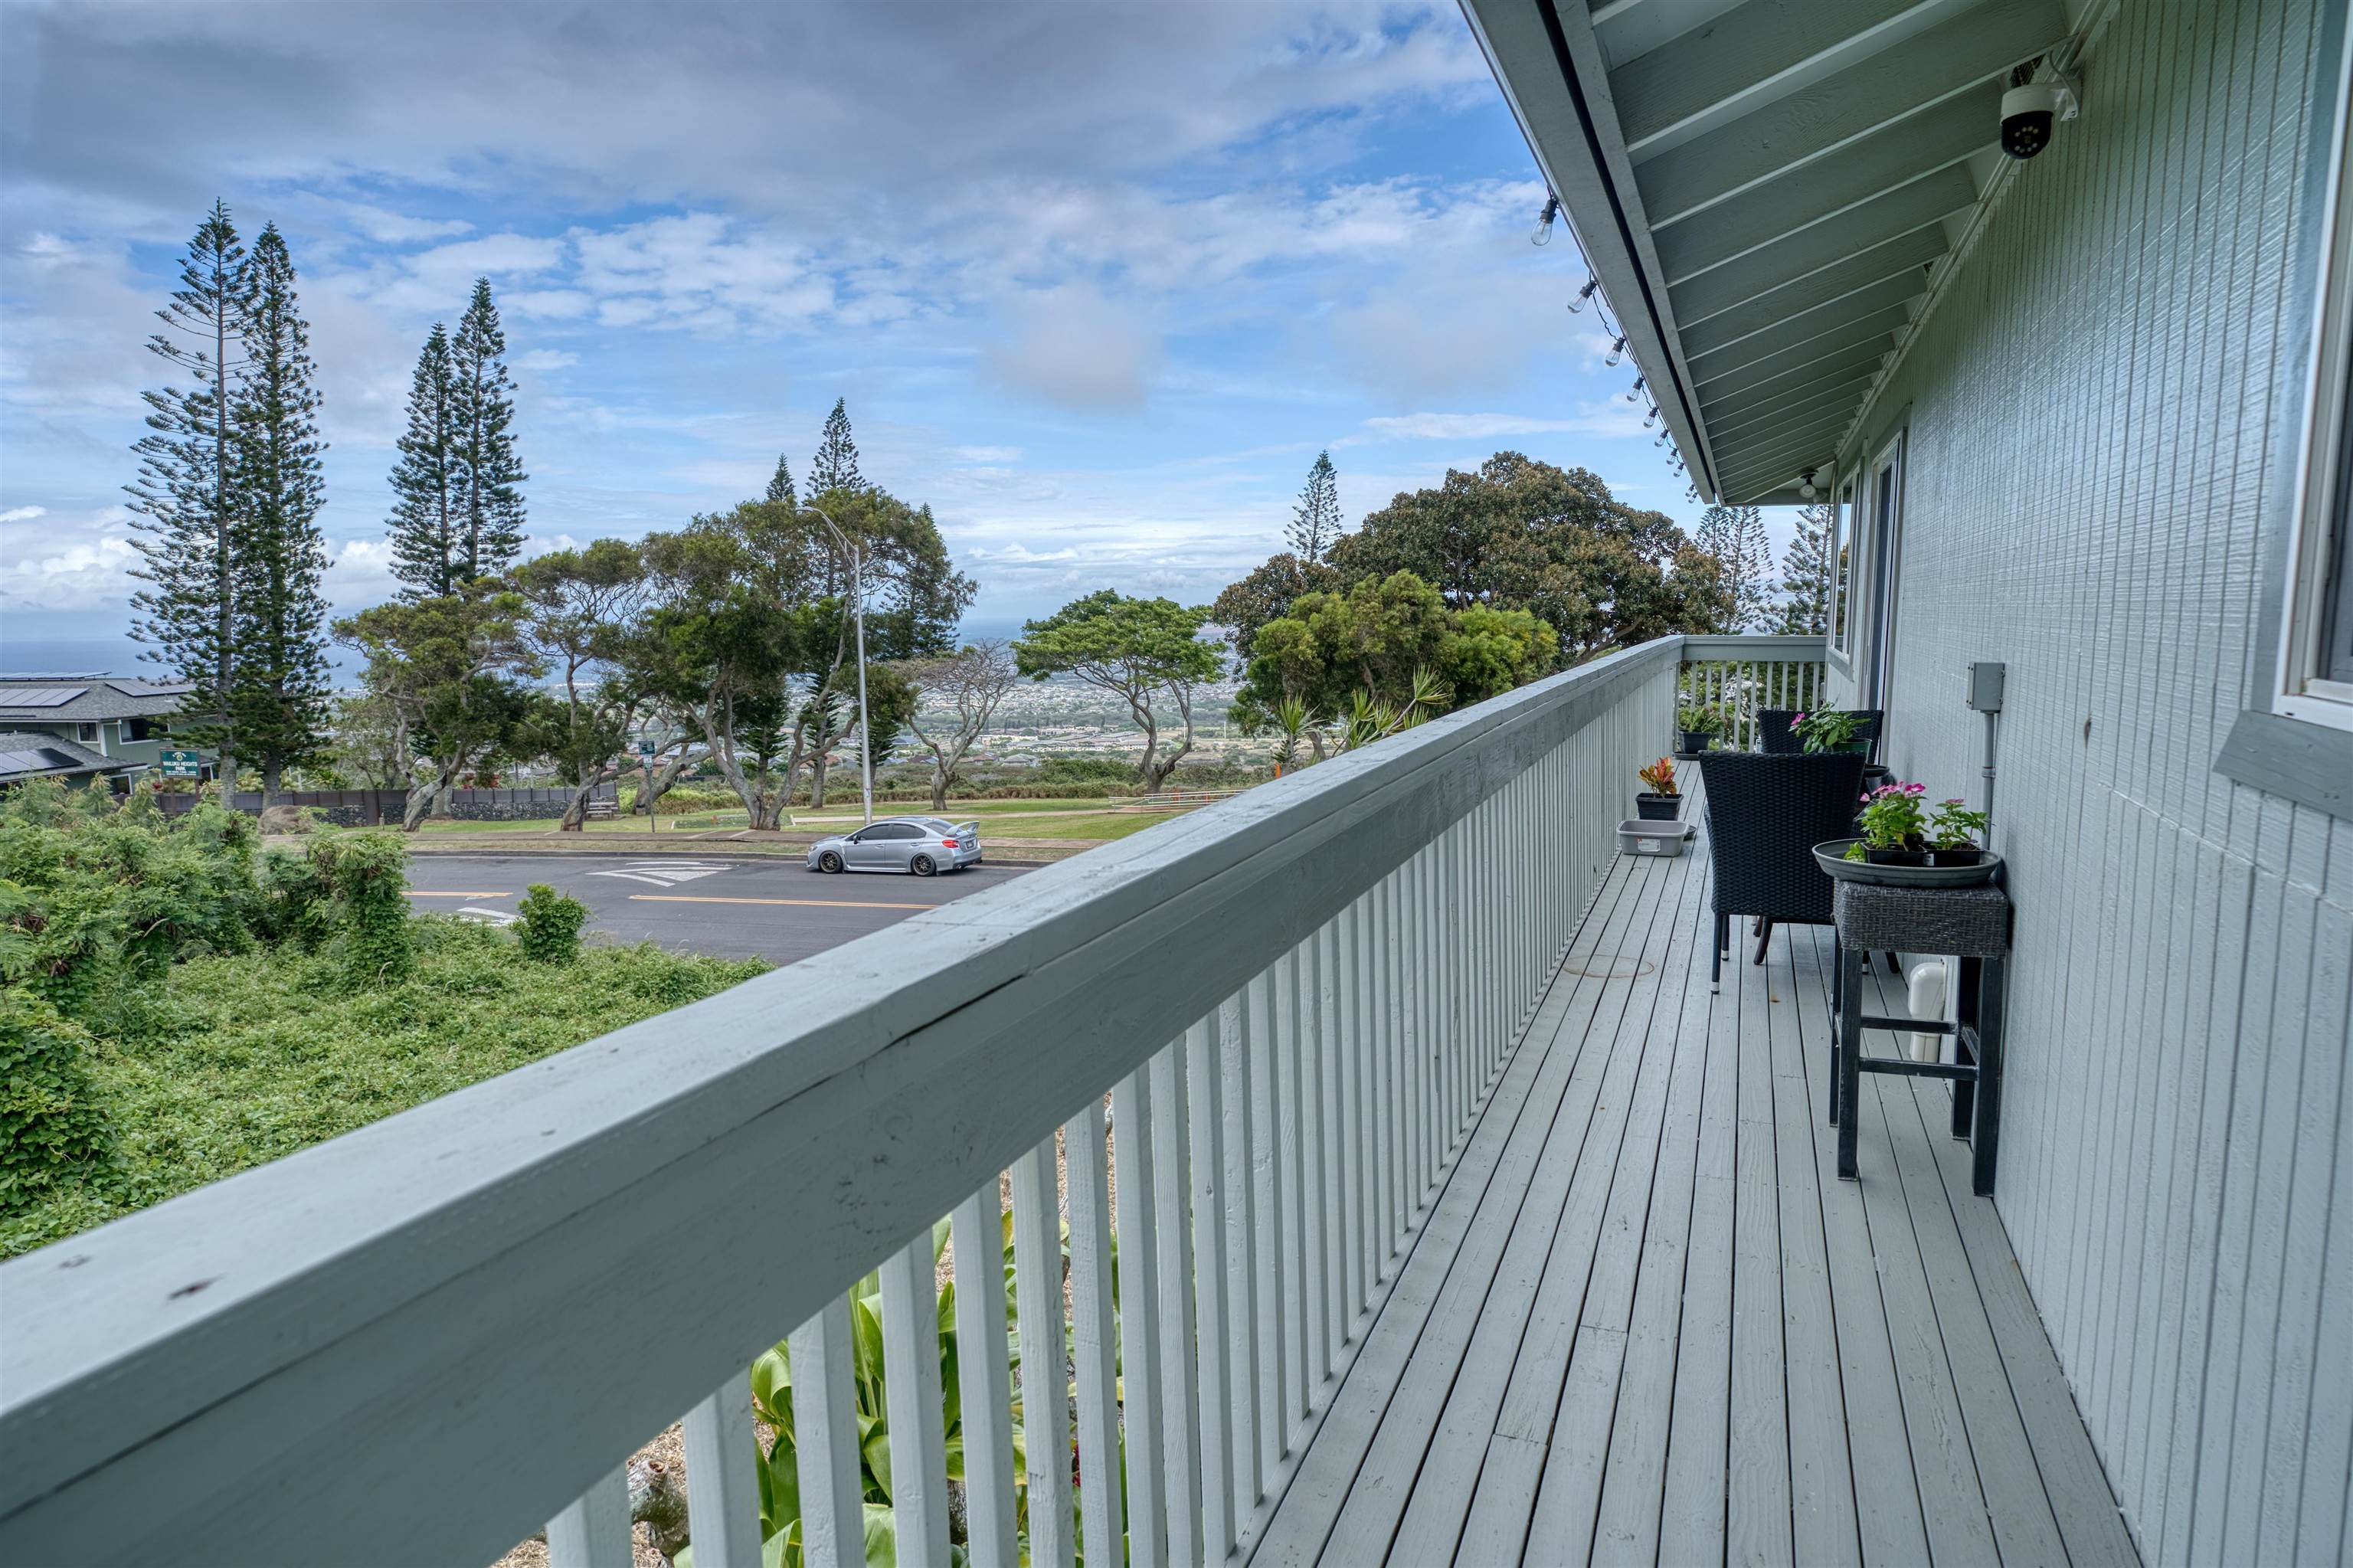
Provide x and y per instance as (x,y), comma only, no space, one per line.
(1646,1322)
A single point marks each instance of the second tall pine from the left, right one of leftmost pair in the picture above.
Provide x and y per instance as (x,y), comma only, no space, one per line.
(279,703)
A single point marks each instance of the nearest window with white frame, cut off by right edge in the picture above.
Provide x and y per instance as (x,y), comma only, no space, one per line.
(2317,627)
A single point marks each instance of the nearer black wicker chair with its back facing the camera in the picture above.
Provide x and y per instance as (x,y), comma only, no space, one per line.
(1766,816)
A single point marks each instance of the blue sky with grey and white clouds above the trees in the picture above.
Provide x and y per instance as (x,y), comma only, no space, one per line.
(1095,281)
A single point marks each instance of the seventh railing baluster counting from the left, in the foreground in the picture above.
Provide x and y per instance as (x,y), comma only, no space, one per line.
(1093,1336)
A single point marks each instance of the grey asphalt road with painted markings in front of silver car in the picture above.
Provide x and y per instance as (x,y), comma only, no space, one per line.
(707,905)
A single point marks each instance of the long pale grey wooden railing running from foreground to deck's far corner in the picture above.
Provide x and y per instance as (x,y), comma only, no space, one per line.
(422,1341)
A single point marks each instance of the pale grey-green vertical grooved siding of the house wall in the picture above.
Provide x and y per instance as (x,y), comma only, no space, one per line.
(2093,451)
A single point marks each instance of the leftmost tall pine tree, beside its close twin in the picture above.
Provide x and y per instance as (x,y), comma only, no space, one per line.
(189,486)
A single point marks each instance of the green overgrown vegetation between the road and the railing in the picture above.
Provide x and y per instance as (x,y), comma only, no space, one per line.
(182,1006)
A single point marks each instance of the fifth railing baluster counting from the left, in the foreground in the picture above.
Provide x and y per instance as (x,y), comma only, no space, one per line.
(985,1381)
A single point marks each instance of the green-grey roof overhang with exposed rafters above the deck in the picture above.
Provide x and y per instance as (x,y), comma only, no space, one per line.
(1764,192)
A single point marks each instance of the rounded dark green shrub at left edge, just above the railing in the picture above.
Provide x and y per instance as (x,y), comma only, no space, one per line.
(53,1129)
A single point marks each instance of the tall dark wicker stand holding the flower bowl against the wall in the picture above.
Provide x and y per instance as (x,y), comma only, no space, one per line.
(1971,924)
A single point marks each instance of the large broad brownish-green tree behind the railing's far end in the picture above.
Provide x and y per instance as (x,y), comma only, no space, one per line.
(1526,536)
